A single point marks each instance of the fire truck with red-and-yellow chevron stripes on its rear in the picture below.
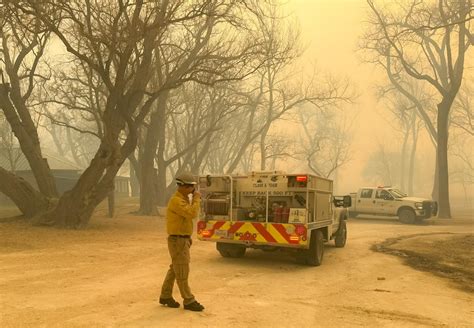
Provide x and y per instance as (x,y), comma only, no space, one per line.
(272,211)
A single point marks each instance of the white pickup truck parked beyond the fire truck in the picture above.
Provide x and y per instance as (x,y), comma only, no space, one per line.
(386,201)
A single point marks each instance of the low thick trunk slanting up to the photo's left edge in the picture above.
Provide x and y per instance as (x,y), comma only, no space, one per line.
(28,200)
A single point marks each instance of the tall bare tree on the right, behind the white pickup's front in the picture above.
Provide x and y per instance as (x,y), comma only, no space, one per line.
(429,43)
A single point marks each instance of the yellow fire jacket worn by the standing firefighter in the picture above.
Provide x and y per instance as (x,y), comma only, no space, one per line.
(180,214)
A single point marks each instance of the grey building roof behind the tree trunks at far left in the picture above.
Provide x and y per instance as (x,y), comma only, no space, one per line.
(14,160)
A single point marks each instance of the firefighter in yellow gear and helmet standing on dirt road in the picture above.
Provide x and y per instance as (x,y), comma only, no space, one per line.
(179,225)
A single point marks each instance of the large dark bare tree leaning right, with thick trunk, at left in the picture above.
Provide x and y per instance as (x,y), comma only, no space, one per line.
(116,40)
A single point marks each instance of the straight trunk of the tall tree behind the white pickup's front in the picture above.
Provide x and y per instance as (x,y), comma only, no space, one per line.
(442,155)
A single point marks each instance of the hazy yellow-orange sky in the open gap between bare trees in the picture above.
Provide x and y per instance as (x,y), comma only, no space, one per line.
(331,29)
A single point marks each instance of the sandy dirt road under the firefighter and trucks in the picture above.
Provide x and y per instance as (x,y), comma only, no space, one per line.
(110,274)
